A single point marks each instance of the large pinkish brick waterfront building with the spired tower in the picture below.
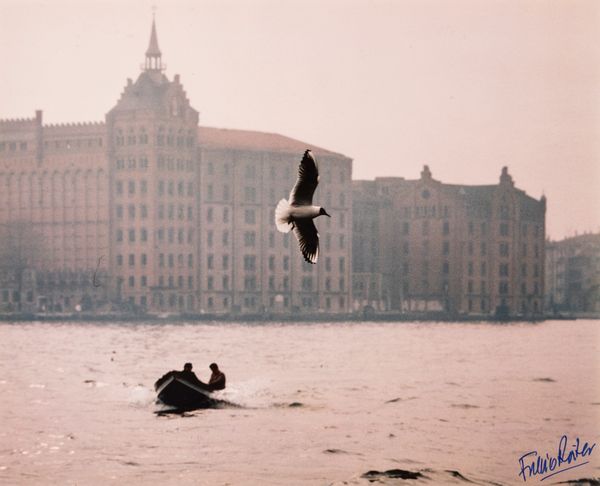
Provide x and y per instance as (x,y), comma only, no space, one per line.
(150,211)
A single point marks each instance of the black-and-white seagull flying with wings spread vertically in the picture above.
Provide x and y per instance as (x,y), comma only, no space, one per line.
(298,213)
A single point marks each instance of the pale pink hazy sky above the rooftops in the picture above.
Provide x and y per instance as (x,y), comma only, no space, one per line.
(463,86)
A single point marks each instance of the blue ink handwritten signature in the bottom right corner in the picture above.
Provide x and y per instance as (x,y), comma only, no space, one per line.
(551,464)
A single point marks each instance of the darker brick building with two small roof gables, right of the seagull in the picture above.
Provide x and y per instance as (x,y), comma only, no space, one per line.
(450,248)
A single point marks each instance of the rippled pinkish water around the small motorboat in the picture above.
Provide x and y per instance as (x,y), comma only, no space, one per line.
(321,404)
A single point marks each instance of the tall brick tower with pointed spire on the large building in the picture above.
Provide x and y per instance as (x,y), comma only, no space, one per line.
(152,144)
